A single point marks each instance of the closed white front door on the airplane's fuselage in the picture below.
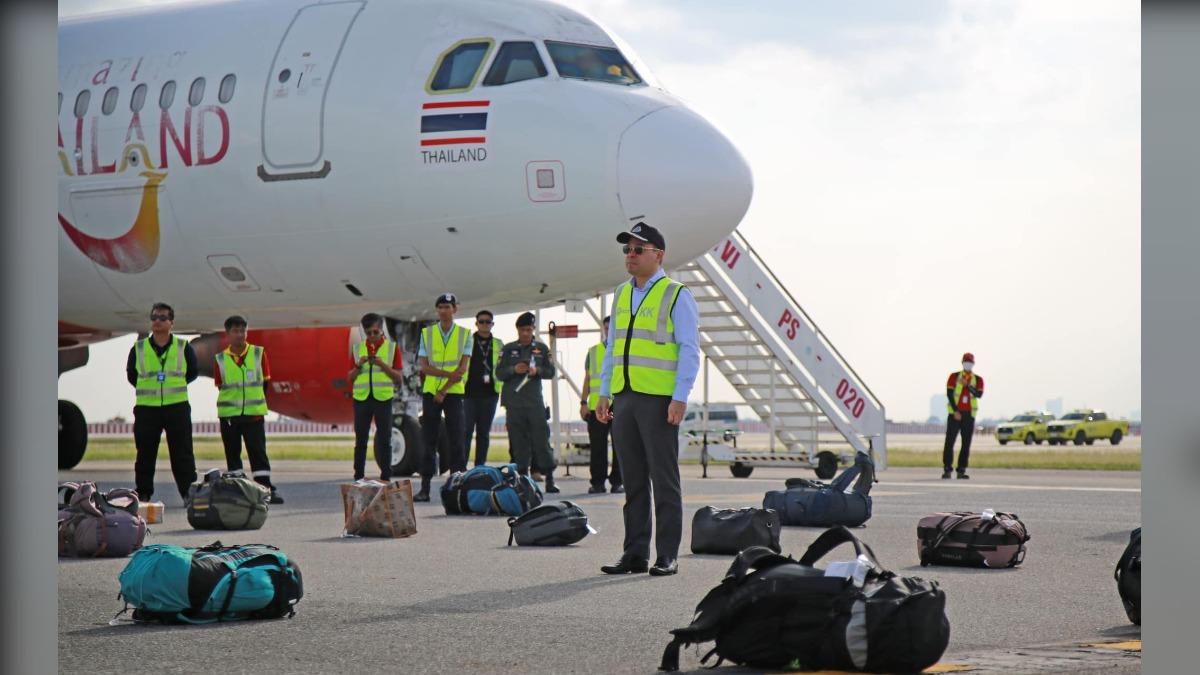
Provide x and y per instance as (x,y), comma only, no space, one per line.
(295,97)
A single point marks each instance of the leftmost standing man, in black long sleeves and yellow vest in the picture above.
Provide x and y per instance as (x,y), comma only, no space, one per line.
(160,368)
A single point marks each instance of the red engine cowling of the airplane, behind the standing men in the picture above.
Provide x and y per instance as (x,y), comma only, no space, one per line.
(309,368)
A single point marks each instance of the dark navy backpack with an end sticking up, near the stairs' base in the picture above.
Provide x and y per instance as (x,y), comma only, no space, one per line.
(814,504)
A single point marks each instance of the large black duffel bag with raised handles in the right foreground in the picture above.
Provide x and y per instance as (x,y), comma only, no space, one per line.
(775,612)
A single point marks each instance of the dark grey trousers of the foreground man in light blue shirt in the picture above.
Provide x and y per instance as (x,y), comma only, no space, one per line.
(649,447)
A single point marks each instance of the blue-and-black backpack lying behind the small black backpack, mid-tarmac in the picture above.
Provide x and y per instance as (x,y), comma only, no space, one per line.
(488,491)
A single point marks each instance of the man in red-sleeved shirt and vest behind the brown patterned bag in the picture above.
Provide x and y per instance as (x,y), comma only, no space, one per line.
(376,371)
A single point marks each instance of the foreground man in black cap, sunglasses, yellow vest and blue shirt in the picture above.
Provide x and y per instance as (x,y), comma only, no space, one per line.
(650,367)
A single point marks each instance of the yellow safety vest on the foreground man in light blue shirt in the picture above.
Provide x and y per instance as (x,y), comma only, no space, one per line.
(645,350)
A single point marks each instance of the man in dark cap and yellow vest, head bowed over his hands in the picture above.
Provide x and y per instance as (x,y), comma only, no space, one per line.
(445,357)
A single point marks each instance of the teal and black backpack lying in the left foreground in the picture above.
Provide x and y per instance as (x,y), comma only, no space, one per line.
(173,584)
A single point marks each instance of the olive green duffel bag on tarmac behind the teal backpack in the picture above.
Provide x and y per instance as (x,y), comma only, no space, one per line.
(227,501)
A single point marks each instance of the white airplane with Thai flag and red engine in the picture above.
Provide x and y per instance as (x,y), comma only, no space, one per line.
(303,164)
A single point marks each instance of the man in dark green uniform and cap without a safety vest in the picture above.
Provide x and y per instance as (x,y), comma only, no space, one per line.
(524,366)
